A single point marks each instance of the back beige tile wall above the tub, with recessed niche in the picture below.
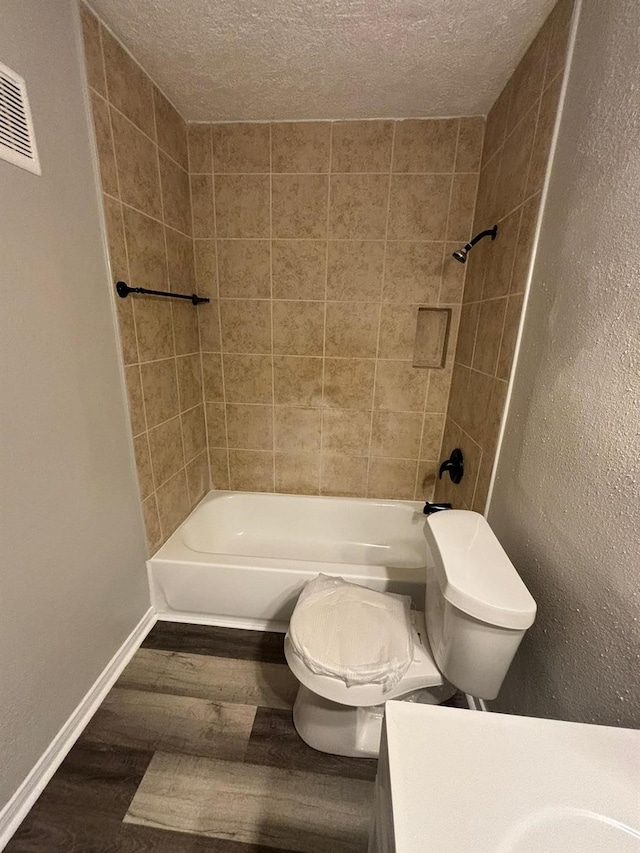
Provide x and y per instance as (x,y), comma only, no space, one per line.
(320,241)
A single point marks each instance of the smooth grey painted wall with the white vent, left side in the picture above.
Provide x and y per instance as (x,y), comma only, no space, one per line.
(72,550)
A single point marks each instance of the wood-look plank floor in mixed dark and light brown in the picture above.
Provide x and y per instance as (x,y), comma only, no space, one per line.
(194,750)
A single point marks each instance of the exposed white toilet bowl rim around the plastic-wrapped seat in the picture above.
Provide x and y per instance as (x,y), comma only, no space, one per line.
(422,673)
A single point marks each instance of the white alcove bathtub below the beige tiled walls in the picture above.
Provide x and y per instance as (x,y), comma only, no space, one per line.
(241,558)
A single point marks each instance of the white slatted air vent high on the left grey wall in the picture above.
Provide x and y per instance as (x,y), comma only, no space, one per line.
(17,140)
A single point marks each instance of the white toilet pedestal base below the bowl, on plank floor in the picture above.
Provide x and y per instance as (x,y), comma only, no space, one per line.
(346,730)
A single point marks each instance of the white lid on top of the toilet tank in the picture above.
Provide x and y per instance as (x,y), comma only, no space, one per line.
(474,572)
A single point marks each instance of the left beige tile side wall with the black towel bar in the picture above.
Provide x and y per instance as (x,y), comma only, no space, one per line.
(142,147)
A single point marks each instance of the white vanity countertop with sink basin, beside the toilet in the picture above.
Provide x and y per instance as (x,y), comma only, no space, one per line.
(473,782)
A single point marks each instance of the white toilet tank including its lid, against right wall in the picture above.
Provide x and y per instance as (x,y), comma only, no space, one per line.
(477,608)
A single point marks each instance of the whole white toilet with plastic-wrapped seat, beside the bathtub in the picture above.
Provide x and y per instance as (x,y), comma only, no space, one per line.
(353,649)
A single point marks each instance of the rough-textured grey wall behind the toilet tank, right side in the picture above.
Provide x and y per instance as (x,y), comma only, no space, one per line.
(567,494)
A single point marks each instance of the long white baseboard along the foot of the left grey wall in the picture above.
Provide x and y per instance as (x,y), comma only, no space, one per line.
(16,809)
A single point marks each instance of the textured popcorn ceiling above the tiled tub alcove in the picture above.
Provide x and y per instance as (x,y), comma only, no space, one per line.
(235,60)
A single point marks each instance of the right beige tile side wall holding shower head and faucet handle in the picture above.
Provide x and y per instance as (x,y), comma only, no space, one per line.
(516,151)
